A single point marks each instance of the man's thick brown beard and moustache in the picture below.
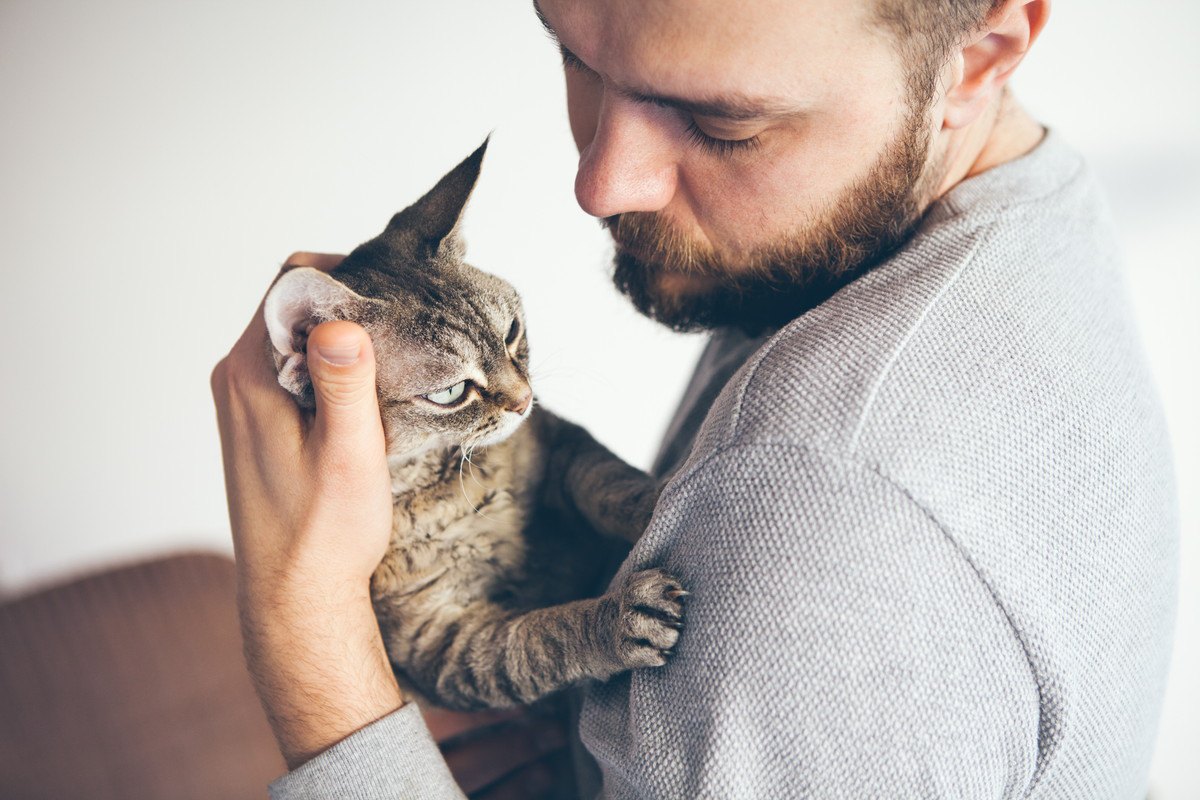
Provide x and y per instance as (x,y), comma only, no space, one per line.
(773,285)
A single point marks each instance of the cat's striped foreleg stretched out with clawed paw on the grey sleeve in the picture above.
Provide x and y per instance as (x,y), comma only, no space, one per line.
(493,658)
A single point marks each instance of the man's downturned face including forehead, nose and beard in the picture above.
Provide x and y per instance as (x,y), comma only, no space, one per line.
(747,158)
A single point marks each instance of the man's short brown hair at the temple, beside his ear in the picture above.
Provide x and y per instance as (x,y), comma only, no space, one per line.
(927,32)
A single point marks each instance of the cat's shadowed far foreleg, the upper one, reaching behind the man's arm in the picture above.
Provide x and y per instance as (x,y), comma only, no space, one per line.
(615,497)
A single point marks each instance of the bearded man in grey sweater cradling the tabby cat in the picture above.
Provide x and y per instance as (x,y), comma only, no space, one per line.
(920,484)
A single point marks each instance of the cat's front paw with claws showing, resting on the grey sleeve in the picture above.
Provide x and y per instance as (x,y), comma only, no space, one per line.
(651,618)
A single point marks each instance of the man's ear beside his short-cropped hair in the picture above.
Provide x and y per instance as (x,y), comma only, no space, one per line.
(982,68)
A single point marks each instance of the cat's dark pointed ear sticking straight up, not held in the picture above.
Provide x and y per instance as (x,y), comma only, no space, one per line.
(431,225)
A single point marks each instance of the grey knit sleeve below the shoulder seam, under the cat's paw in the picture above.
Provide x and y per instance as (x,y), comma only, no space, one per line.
(838,643)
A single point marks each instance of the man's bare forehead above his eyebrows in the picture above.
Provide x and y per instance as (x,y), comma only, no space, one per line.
(778,52)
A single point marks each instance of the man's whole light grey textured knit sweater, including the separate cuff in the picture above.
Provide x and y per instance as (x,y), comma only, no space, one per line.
(929,533)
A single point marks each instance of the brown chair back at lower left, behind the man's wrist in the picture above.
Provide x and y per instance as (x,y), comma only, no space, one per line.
(131,684)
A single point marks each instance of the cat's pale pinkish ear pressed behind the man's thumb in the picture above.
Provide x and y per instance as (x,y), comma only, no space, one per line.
(301,300)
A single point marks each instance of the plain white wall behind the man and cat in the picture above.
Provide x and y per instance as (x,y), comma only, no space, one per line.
(159,161)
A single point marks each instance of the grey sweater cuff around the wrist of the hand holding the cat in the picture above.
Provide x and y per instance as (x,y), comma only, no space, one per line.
(393,757)
